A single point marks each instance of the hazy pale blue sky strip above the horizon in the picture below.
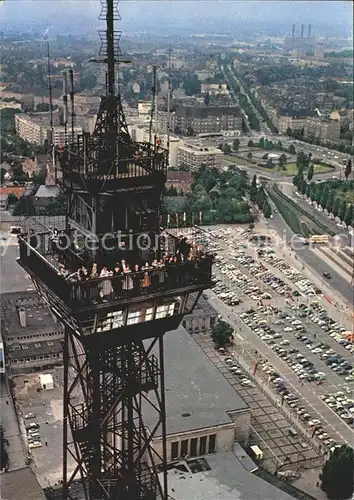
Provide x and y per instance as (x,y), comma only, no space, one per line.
(183,11)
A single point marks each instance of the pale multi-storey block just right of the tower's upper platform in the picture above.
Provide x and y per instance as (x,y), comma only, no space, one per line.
(193,154)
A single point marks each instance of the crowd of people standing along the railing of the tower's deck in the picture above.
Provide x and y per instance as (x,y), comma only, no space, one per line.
(105,282)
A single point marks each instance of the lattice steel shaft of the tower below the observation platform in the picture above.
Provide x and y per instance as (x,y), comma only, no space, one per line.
(110,444)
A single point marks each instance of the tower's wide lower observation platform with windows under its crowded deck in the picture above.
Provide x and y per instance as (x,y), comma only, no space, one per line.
(118,300)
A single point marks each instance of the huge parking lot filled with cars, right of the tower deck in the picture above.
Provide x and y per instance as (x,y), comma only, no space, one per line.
(283,316)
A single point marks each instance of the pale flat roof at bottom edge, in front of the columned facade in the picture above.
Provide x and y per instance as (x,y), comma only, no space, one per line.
(223,478)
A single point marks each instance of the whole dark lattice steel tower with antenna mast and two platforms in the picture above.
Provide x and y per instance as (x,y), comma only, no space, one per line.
(114,324)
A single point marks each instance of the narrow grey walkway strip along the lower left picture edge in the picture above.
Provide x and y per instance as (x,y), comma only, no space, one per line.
(16,450)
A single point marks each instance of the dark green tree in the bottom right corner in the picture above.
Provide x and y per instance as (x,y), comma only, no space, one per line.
(337,474)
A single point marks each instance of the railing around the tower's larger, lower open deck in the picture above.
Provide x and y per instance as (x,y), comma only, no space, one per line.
(40,261)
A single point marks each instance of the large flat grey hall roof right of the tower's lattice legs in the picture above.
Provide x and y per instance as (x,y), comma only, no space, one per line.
(194,388)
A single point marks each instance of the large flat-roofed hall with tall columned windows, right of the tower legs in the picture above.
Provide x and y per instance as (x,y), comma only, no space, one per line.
(204,413)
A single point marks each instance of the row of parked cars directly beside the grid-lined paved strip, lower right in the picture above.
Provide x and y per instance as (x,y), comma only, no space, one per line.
(294,402)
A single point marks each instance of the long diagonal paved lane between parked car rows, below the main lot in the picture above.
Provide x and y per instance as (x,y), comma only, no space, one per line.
(317,408)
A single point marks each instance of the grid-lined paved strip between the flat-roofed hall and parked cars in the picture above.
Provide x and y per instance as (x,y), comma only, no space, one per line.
(290,455)
